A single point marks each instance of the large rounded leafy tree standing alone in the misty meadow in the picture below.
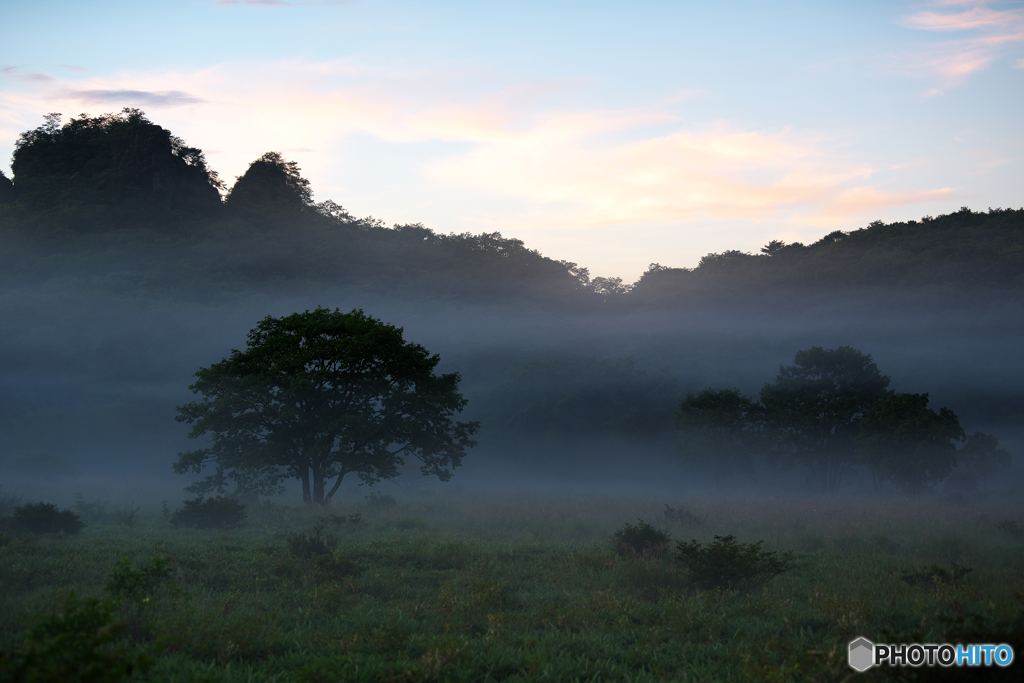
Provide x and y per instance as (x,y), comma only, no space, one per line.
(321,395)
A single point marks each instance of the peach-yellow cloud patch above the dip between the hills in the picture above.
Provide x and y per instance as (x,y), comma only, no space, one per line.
(718,172)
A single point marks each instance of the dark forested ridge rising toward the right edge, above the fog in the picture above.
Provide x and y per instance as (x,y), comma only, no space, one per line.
(960,251)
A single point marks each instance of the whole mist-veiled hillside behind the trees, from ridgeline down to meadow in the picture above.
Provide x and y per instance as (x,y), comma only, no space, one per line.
(126,264)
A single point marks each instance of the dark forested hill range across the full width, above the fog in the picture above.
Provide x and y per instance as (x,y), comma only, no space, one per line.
(121,204)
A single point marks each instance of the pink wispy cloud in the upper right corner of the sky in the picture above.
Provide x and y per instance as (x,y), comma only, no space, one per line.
(991,33)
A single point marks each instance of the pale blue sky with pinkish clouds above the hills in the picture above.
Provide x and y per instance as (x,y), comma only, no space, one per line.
(614,136)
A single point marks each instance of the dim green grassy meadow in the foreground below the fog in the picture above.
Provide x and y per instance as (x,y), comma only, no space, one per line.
(530,588)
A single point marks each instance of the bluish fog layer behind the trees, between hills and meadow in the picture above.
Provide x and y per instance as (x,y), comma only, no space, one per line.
(98,381)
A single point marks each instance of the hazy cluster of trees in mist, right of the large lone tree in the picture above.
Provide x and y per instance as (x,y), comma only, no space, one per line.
(828,414)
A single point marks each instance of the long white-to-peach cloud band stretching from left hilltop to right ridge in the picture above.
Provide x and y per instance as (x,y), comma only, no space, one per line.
(577,167)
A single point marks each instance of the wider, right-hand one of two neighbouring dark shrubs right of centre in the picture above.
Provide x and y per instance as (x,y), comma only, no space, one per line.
(724,564)
